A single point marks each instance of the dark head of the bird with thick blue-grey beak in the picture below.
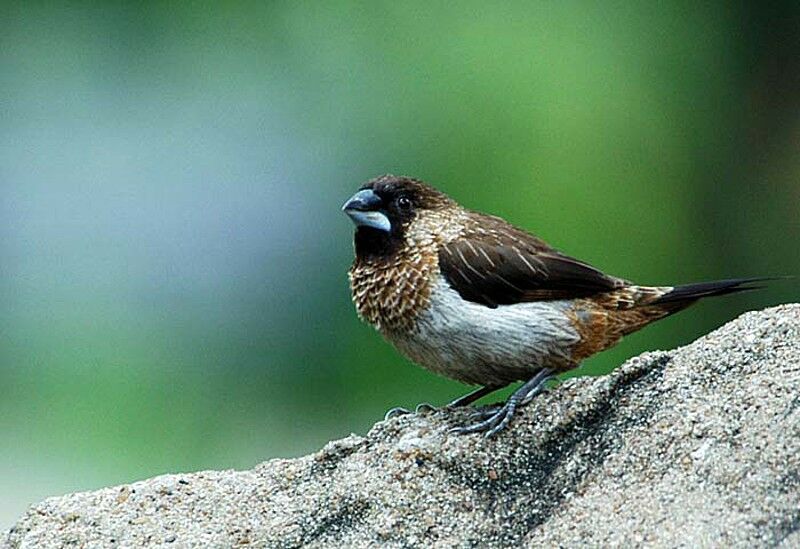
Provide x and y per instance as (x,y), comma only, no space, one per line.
(386,209)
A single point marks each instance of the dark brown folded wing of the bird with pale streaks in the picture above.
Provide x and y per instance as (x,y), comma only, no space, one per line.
(501,265)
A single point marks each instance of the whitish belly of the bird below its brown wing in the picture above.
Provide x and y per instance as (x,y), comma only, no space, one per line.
(476,344)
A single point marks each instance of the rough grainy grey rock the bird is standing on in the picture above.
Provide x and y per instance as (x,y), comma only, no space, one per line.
(698,446)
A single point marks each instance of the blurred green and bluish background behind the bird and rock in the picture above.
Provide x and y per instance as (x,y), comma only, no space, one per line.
(173,260)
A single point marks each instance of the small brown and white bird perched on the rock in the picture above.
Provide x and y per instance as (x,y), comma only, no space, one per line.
(472,297)
